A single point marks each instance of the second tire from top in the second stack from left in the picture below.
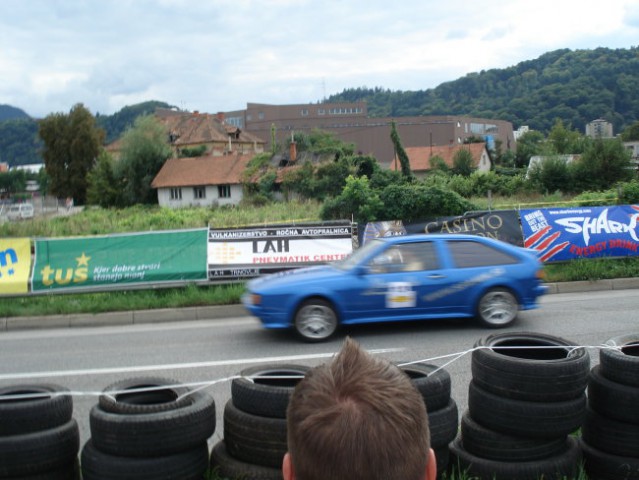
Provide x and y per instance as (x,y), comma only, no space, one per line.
(154,434)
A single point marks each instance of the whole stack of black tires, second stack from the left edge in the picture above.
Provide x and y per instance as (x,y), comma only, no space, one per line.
(149,428)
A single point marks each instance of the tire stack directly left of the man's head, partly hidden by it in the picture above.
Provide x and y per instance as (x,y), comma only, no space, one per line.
(255,433)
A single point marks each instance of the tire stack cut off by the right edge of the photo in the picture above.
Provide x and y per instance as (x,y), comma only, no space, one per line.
(610,433)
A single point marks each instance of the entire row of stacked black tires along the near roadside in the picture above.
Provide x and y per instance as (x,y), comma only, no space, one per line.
(536,409)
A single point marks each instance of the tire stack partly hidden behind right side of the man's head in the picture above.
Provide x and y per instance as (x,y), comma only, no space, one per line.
(443,416)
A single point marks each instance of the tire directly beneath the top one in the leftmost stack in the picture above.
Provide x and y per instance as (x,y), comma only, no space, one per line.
(39,452)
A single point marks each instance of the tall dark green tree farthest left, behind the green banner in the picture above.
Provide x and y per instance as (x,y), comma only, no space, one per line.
(72,143)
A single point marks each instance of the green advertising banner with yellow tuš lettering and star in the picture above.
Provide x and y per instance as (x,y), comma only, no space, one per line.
(153,257)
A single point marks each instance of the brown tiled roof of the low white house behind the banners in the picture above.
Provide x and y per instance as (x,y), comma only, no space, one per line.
(201,171)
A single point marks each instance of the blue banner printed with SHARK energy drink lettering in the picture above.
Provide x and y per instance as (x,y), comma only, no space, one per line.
(581,232)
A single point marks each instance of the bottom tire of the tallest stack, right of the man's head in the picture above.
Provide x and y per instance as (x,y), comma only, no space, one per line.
(559,467)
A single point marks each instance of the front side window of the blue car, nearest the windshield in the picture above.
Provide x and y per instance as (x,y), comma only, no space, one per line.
(406,257)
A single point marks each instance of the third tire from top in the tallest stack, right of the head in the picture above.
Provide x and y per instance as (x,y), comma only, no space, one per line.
(491,445)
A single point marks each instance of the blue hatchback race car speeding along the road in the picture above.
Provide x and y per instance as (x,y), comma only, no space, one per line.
(402,278)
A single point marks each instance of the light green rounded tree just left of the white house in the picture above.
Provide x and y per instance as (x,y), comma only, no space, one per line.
(144,151)
